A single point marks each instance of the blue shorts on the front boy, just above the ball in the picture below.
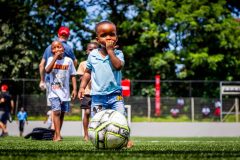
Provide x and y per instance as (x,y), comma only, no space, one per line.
(112,101)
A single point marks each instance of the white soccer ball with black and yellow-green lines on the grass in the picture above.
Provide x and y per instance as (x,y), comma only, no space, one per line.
(109,129)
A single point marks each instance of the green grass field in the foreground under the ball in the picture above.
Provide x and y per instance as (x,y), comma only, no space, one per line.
(73,148)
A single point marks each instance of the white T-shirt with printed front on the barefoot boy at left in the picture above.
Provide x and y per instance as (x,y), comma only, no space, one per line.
(60,76)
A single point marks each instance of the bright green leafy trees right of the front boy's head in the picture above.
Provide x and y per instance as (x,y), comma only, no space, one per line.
(188,40)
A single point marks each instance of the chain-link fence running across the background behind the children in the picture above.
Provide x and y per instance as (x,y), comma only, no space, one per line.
(184,98)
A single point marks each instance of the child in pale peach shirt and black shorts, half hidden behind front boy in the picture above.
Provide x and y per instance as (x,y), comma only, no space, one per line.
(86,102)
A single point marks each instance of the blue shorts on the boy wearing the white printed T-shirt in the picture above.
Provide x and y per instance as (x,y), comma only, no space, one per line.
(57,105)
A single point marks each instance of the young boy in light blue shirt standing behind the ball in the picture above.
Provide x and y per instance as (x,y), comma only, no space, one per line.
(104,69)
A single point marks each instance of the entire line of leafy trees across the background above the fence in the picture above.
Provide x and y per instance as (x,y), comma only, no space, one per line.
(178,39)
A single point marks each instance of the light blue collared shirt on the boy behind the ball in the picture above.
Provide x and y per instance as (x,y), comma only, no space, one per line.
(105,79)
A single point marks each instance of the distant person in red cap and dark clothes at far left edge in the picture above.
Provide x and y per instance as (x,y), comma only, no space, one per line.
(6,108)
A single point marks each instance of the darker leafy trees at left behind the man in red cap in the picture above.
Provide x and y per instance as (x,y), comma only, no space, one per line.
(27,27)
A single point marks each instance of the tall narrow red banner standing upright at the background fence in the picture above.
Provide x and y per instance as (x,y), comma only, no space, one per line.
(157,96)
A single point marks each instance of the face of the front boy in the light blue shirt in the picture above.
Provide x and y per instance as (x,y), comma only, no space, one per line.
(106,33)
